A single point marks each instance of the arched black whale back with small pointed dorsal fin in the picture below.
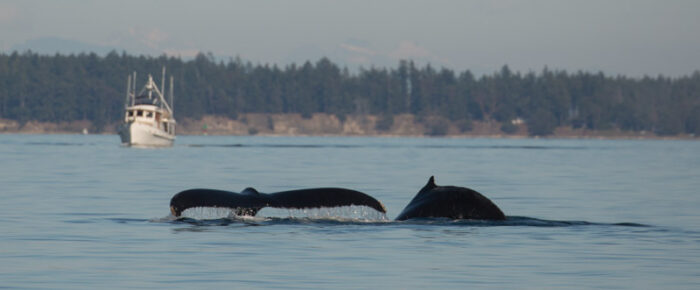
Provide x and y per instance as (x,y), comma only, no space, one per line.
(450,202)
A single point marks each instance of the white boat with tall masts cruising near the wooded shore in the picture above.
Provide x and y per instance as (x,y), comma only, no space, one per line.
(148,118)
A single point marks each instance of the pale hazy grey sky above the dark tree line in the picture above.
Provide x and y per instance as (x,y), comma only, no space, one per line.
(631,37)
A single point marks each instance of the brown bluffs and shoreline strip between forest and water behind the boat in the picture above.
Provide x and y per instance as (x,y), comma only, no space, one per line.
(331,125)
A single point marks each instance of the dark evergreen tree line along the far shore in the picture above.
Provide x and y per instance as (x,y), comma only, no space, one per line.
(55,88)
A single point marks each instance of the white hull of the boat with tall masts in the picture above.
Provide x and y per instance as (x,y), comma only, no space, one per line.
(143,135)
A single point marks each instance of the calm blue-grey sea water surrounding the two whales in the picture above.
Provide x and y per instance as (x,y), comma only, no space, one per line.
(83,212)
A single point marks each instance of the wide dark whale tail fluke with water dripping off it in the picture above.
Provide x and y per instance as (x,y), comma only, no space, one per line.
(250,201)
